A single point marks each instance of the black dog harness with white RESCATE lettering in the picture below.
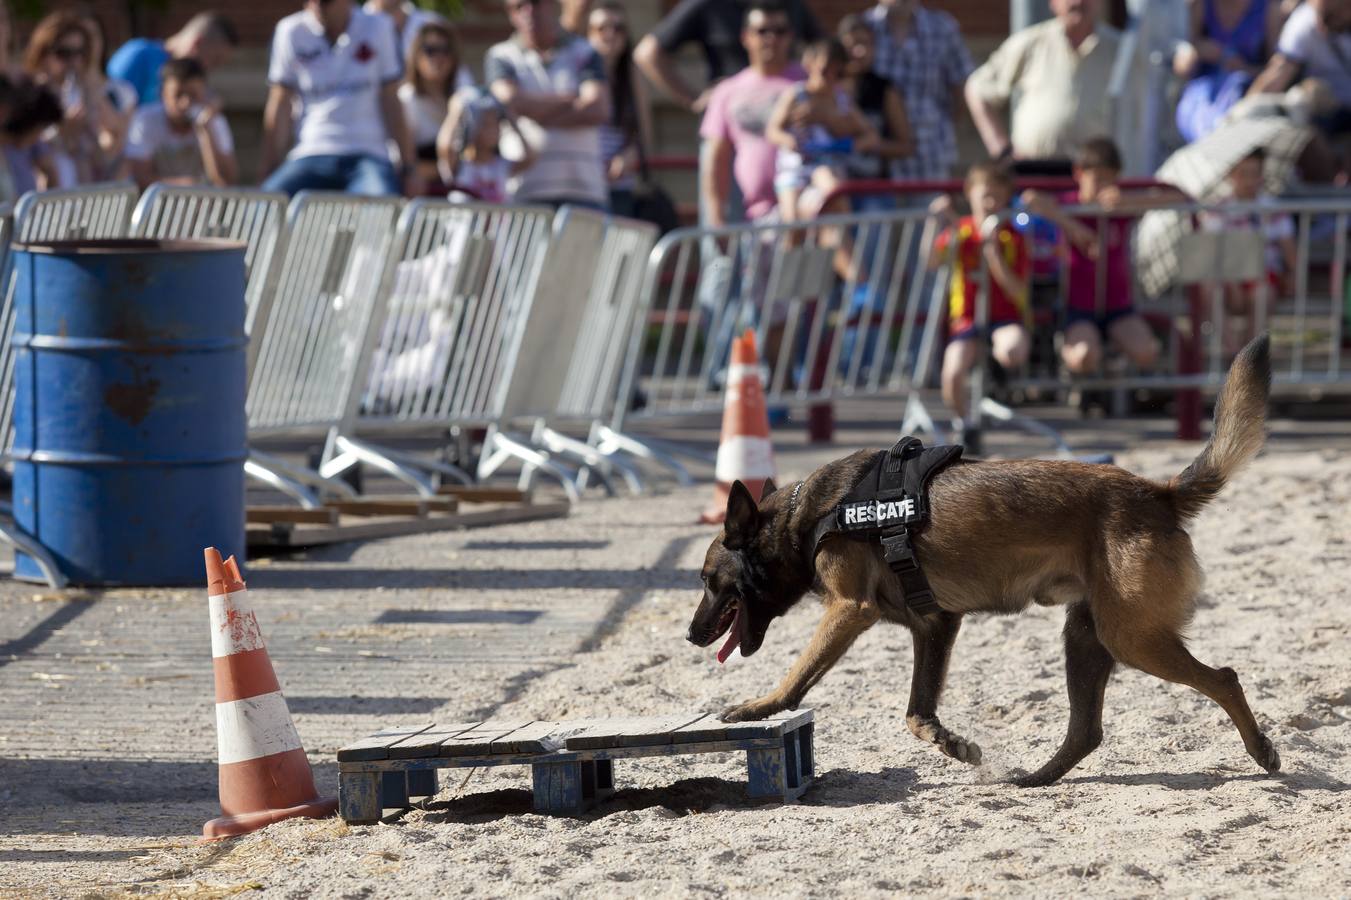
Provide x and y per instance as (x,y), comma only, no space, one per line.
(890,503)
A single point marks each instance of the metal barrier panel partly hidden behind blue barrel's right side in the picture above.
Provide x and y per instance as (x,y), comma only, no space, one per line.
(253,218)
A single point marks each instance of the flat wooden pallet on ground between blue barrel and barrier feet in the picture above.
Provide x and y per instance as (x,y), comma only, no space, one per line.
(271,529)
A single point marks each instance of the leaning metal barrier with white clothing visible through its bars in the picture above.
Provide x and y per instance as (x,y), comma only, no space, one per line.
(459,293)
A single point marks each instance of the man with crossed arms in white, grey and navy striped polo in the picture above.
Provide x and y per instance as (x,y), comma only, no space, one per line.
(555,83)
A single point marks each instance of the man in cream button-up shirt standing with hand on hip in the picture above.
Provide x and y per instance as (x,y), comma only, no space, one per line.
(1061,71)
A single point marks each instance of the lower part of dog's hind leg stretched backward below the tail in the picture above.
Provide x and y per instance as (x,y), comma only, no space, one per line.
(1167,657)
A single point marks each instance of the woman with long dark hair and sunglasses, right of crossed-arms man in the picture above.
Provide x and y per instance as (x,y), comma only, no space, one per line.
(628,136)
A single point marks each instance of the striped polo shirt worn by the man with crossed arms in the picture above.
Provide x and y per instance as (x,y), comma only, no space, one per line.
(569,166)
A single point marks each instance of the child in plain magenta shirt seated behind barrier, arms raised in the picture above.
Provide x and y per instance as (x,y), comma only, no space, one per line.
(1091,318)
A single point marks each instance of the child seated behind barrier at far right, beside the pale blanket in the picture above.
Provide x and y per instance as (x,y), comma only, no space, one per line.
(1241,301)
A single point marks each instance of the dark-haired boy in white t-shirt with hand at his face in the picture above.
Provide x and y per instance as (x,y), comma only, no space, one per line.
(184,139)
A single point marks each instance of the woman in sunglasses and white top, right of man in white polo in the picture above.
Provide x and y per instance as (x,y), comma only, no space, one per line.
(436,72)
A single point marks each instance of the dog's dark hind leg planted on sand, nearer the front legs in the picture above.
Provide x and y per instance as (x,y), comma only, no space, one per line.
(1088,666)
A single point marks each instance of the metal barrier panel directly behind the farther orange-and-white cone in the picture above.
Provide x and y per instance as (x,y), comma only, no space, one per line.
(833,318)
